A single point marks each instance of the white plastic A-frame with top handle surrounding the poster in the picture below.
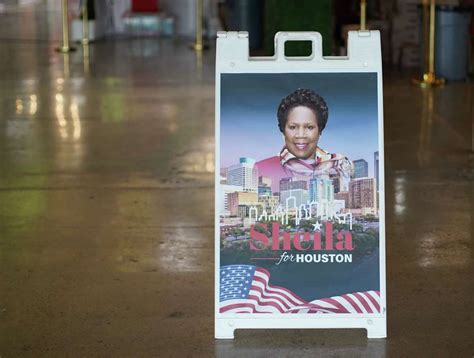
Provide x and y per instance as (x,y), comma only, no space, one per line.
(364,55)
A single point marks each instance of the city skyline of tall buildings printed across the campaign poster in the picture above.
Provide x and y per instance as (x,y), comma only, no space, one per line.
(239,199)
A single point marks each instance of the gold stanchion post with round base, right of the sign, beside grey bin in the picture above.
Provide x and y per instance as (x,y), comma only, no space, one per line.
(429,78)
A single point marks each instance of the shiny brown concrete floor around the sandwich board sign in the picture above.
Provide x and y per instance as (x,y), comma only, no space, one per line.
(106,215)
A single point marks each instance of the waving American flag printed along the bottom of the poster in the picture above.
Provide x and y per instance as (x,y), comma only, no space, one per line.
(247,289)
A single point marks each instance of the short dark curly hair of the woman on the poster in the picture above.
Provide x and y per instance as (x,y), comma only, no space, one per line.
(305,98)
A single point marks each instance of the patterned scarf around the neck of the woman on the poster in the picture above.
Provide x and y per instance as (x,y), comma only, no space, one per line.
(324,163)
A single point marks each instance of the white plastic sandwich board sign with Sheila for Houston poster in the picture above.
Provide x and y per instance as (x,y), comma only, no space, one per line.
(299,223)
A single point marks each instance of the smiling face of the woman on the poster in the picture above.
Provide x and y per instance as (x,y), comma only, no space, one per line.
(302,132)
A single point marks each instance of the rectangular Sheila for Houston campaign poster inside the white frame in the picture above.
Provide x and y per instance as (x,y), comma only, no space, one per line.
(298,194)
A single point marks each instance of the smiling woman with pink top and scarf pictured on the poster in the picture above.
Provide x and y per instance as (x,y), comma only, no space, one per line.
(302,117)
